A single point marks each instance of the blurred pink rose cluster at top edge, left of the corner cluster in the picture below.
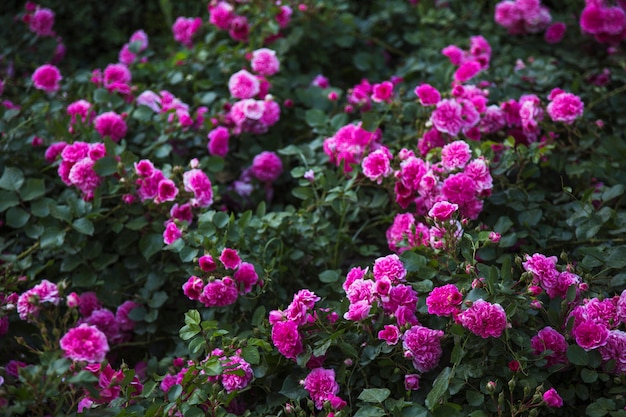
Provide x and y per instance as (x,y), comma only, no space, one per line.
(520,17)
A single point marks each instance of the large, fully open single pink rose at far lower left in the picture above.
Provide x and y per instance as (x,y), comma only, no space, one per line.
(85,343)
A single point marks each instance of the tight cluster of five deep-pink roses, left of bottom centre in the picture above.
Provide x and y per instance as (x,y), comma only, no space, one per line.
(219,292)
